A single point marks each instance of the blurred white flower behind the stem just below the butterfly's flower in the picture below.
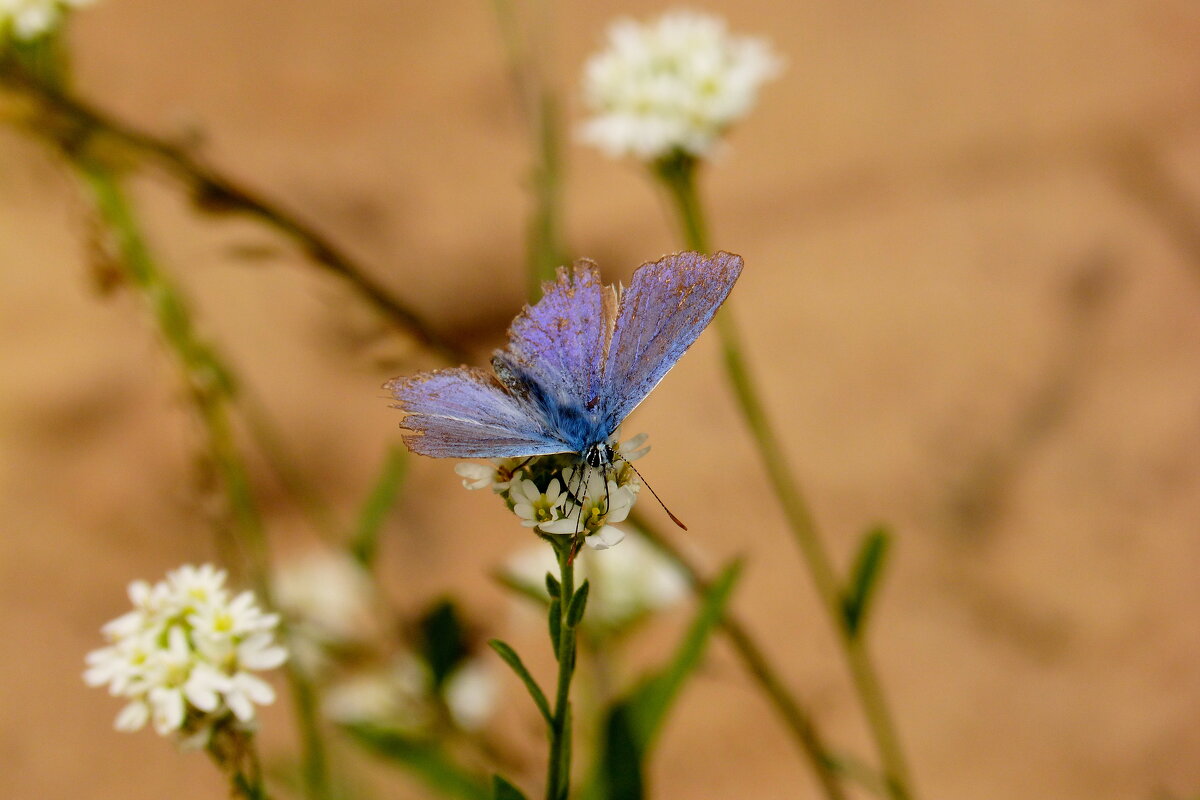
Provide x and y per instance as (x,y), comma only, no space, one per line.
(627,584)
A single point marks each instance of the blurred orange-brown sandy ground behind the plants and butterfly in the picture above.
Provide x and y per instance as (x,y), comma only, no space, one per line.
(973,299)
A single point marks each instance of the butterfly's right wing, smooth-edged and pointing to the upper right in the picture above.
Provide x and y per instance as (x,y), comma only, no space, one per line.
(668,305)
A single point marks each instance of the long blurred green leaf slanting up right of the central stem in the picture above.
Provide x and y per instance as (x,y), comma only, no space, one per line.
(634,723)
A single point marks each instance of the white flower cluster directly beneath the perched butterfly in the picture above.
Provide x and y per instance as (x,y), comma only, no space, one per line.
(556,495)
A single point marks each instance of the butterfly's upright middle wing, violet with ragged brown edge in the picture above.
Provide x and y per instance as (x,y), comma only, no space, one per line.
(556,353)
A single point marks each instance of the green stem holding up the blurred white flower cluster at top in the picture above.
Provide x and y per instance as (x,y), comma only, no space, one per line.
(679,175)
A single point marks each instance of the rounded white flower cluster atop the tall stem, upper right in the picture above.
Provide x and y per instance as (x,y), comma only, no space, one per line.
(673,86)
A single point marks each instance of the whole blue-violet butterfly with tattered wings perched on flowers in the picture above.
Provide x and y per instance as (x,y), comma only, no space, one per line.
(577,364)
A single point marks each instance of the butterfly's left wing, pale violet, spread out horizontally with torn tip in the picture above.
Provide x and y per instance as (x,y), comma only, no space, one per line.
(466,413)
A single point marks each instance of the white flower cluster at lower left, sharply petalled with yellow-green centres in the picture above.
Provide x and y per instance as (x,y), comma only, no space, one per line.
(185,655)
